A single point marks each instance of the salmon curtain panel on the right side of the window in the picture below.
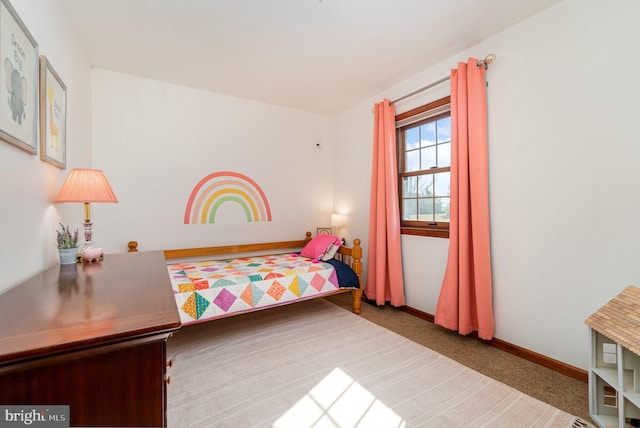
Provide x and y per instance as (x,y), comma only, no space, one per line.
(465,301)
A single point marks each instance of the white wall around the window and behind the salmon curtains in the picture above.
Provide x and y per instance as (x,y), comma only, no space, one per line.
(564,169)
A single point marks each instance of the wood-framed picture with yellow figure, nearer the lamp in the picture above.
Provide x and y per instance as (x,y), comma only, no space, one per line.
(53,116)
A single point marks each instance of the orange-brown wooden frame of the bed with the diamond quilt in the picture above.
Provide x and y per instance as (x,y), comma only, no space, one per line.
(351,256)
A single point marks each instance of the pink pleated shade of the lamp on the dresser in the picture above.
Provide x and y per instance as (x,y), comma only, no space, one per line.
(86,185)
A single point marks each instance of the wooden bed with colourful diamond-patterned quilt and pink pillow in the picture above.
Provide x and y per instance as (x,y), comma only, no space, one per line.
(215,282)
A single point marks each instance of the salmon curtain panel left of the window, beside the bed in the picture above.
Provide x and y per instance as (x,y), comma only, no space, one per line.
(385,282)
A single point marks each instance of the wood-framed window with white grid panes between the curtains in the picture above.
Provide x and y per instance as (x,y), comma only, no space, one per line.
(424,161)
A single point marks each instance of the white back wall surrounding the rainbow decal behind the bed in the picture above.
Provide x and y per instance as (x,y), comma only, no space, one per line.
(155,141)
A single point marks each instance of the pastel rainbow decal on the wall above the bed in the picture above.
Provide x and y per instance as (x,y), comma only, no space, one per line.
(225,186)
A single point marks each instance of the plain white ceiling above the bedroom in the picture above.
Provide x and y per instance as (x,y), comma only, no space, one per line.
(320,56)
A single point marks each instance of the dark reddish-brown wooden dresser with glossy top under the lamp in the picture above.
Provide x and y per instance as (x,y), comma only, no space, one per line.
(93,337)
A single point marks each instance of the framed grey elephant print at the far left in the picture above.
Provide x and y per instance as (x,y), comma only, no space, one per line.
(18,81)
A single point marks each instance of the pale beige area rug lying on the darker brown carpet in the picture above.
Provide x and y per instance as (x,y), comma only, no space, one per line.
(313,364)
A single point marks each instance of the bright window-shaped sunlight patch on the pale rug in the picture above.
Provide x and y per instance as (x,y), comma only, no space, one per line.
(339,401)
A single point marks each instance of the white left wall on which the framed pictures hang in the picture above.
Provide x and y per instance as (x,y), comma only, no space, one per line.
(29,185)
